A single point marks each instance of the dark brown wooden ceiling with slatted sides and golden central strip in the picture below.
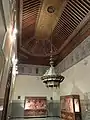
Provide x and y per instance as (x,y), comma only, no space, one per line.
(62,23)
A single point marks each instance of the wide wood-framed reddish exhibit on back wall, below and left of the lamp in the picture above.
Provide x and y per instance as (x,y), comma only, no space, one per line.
(35,106)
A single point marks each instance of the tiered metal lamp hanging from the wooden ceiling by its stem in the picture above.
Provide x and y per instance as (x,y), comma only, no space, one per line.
(51,79)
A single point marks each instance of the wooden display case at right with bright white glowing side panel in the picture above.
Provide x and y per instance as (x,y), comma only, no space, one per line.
(70,107)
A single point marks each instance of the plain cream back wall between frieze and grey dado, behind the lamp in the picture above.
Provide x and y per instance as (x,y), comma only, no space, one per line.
(27,85)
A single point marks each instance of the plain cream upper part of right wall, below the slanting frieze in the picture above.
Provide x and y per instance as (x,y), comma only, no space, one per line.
(77,79)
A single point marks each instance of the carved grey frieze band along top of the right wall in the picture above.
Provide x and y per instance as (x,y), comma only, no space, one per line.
(80,52)
